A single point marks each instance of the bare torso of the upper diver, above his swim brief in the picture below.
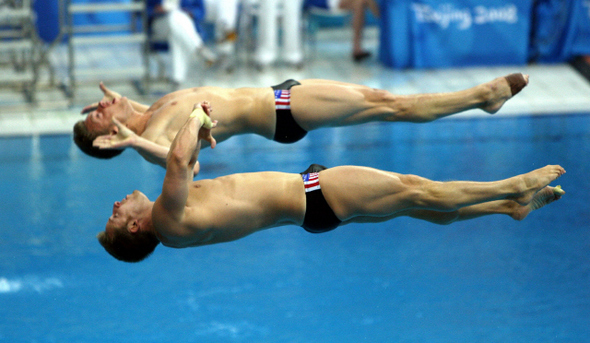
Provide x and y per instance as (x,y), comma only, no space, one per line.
(238,111)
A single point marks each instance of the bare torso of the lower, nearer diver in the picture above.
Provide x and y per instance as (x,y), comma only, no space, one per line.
(234,206)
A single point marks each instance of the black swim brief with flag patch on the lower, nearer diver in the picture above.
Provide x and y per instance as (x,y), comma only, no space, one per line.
(319,217)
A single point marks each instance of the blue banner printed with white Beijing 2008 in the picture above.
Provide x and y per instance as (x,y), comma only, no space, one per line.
(435,34)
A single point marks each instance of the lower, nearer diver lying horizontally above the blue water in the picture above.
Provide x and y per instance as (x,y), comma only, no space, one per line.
(188,214)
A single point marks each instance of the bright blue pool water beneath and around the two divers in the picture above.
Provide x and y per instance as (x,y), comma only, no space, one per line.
(487,280)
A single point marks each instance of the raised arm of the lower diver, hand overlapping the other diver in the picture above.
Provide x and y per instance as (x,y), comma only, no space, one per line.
(181,161)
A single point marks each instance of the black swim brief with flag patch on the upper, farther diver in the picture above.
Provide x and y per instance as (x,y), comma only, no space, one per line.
(286,130)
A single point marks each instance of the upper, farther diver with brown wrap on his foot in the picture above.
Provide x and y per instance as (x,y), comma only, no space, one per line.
(284,113)
